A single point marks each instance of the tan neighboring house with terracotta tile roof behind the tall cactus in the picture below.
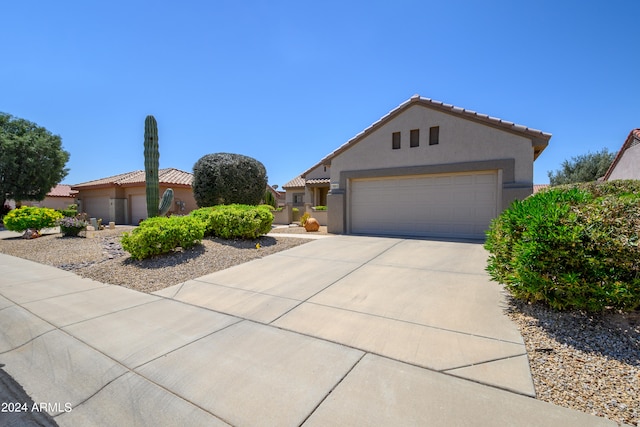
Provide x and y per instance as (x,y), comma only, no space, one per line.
(122,198)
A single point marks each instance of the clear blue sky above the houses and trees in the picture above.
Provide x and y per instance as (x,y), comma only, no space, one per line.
(287,82)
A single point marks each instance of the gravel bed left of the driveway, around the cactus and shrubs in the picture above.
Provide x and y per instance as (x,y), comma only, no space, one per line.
(100,257)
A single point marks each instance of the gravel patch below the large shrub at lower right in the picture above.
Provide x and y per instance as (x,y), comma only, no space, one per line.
(586,362)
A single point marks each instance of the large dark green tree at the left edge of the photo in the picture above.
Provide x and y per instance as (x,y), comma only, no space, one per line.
(32,160)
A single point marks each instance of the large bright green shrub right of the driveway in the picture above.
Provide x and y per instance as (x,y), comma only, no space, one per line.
(571,247)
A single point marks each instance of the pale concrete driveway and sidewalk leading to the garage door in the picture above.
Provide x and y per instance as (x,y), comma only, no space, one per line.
(345,330)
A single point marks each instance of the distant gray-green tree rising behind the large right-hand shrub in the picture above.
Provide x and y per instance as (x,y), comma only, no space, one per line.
(584,168)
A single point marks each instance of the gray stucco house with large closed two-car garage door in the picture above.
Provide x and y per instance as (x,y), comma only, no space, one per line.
(424,169)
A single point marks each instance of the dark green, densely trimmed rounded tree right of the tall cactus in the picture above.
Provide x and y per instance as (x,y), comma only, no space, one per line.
(224,179)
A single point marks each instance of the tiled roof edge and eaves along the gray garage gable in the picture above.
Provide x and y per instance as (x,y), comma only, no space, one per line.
(539,138)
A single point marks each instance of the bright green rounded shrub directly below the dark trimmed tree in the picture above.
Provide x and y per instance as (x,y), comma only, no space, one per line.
(235,221)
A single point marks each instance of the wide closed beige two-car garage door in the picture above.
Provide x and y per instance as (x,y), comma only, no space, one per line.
(457,205)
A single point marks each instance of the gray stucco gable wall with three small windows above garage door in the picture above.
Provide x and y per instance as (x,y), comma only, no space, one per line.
(461,140)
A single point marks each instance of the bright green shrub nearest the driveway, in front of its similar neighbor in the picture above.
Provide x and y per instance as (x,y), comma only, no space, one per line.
(160,235)
